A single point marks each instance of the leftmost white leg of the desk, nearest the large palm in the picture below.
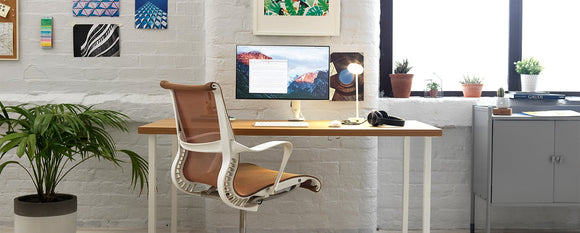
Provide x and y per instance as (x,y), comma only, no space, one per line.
(152,177)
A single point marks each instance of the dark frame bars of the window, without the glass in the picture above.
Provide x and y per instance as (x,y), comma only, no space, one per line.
(514,51)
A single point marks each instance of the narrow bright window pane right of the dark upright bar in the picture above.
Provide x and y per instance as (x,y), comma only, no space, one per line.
(550,34)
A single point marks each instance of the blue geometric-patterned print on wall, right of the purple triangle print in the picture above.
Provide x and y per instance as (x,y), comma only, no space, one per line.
(151,14)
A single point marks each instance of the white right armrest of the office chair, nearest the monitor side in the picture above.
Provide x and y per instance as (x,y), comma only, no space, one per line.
(238,148)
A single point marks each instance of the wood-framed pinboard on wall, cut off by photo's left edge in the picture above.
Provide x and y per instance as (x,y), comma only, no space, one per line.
(8,29)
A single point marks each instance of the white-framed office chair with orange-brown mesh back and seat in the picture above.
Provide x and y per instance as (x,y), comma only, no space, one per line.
(208,157)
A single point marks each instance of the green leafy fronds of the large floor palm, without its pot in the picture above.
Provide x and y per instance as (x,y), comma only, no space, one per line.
(52,135)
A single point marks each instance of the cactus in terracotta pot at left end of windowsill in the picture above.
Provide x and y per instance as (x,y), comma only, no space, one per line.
(401,81)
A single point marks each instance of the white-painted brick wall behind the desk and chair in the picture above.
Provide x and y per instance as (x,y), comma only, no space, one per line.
(361,176)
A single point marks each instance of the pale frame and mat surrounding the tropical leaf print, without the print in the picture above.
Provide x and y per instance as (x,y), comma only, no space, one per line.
(293,25)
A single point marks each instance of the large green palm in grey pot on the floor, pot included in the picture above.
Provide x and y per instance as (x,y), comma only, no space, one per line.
(49,141)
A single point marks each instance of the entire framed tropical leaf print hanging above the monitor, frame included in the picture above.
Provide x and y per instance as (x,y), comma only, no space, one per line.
(297,18)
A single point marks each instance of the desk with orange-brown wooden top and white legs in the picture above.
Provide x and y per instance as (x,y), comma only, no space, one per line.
(316,128)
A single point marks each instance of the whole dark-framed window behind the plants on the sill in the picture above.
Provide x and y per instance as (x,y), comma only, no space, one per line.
(484,38)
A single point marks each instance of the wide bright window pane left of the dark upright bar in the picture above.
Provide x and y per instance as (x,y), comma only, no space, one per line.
(452,38)
